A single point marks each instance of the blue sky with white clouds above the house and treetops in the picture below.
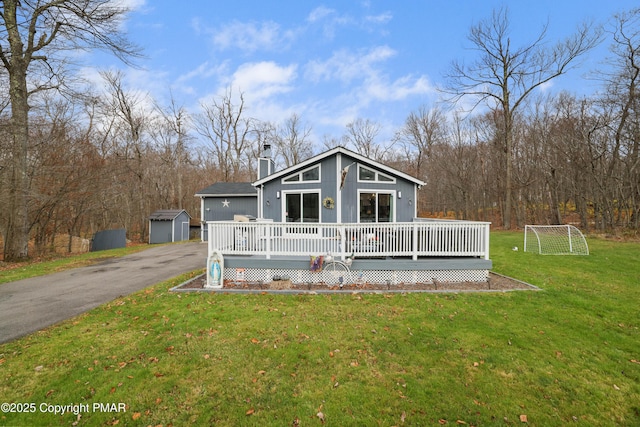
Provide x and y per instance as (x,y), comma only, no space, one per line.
(331,62)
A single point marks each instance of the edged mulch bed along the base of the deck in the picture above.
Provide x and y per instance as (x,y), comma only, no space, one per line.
(496,282)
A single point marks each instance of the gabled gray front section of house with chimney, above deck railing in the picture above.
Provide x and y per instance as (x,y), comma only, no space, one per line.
(337,186)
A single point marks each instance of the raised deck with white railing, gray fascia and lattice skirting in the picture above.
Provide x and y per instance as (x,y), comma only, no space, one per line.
(422,251)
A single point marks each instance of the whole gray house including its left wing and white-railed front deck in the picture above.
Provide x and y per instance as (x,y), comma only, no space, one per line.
(344,204)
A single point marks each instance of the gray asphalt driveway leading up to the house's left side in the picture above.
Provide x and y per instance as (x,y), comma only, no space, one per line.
(29,305)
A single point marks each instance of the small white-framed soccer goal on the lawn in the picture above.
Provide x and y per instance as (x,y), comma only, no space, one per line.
(554,240)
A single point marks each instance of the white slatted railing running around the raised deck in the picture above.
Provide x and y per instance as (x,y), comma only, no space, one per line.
(422,237)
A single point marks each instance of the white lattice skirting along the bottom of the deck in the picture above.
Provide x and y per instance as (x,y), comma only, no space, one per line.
(267,275)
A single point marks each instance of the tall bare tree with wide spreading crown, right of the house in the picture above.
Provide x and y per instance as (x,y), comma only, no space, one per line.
(503,76)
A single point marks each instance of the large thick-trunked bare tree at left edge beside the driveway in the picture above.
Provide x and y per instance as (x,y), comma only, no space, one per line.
(34,34)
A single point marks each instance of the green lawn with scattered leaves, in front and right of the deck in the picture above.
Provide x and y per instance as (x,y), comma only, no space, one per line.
(569,354)
